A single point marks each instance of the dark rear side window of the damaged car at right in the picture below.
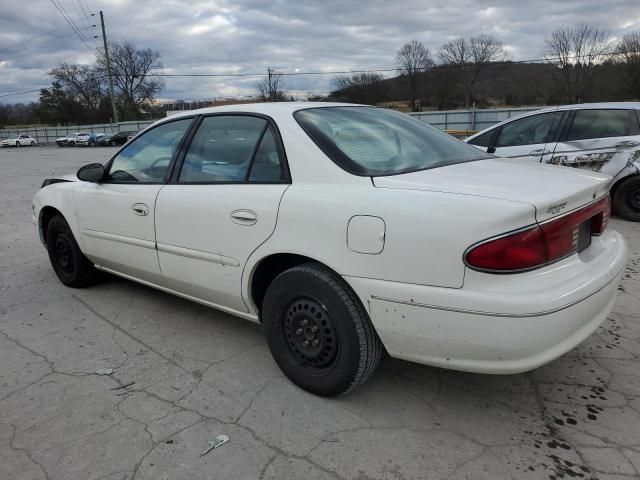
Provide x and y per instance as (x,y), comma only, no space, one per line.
(591,124)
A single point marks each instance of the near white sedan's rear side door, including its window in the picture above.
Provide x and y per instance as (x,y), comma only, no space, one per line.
(220,206)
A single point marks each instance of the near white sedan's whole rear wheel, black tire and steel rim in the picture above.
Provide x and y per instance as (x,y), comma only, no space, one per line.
(311,304)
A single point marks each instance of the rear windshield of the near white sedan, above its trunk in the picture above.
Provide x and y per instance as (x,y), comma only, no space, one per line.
(370,141)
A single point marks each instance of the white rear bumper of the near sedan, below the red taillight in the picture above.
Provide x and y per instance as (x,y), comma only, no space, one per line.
(499,323)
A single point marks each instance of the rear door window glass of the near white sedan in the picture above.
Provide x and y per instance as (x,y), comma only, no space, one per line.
(228,148)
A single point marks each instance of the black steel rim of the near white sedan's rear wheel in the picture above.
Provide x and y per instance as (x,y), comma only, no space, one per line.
(310,334)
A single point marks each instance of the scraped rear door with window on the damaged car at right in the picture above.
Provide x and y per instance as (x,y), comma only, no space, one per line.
(595,138)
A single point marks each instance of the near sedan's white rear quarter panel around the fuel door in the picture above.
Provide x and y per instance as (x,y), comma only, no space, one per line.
(426,234)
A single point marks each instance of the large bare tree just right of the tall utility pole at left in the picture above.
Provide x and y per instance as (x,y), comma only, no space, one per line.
(131,68)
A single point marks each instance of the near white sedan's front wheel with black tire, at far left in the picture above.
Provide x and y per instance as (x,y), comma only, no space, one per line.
(71,266)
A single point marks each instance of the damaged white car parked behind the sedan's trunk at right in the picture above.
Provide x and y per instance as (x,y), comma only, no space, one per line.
(602,137)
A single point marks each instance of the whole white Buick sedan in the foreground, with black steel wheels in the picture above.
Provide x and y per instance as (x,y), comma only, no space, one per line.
(346,231)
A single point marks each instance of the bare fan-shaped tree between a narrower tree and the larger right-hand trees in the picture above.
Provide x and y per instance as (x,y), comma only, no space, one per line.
(469,58)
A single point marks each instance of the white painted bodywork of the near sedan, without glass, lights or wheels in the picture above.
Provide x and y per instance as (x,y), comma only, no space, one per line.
(402,255)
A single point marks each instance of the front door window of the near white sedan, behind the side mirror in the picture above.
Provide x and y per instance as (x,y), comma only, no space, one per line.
(146,159)
